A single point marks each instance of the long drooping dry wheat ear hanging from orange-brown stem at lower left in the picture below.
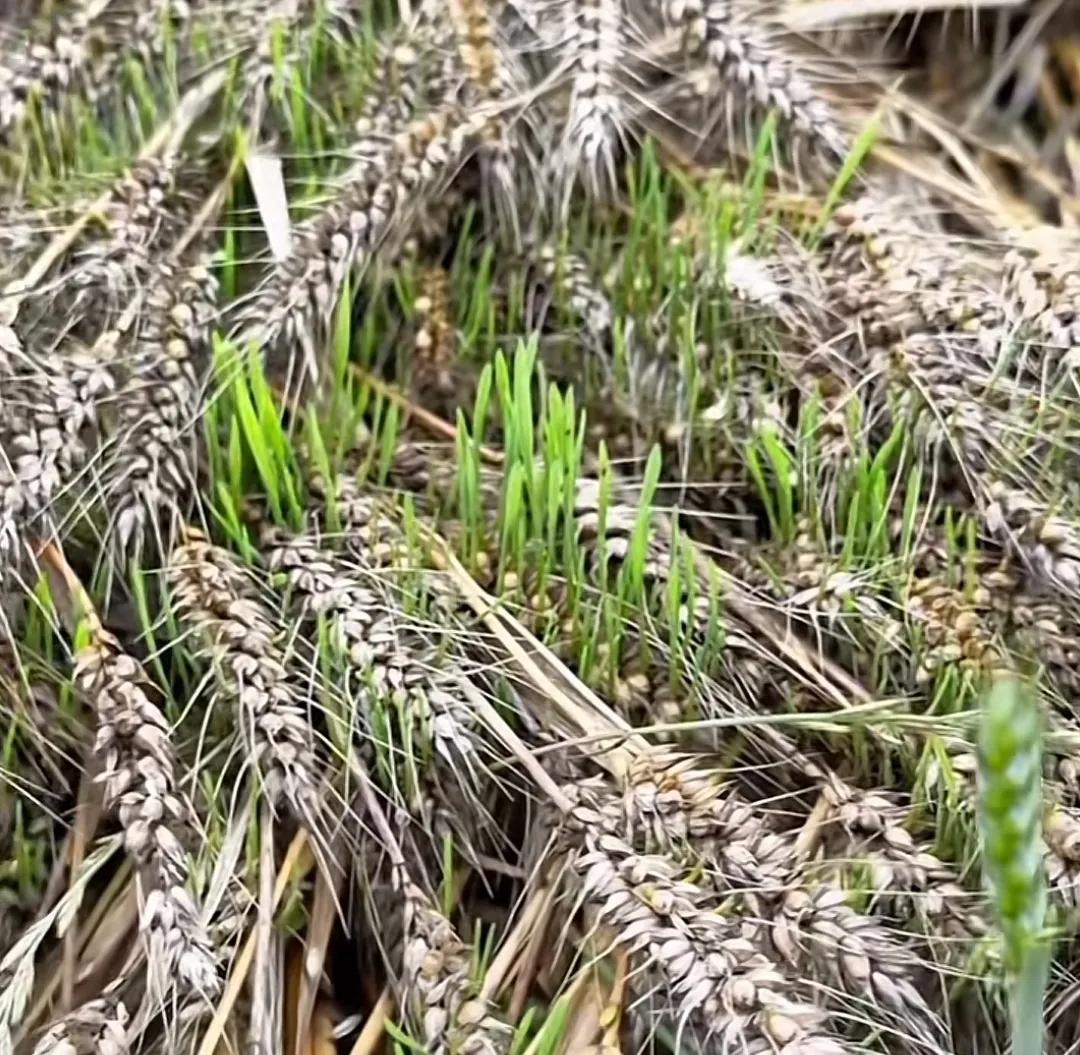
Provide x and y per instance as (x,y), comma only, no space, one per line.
(133,741)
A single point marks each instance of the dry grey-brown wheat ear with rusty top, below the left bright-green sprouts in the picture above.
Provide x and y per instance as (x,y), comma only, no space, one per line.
(219,600)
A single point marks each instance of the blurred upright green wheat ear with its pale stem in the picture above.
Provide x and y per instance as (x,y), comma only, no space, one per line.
(1010,818)
